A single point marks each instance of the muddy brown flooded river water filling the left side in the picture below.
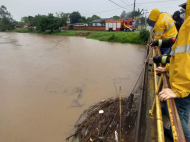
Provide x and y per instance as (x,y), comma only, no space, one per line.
(47,81)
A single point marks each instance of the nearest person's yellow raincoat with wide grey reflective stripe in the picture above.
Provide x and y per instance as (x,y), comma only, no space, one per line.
(179,67)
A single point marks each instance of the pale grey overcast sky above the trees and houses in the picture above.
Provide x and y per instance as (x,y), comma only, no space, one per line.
(102,8)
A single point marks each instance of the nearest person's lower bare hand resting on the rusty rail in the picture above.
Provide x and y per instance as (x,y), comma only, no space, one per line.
(166,94)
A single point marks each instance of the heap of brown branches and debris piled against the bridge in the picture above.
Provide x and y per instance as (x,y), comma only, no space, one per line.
(98,128)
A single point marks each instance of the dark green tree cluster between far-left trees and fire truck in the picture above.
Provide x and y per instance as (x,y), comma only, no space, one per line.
(53,22)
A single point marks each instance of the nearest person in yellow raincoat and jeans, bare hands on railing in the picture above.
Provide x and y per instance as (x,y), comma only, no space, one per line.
(179,72)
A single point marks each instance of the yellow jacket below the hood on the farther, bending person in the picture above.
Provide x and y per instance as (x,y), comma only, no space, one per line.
(165,27)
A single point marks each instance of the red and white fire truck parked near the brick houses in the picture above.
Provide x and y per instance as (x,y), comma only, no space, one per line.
(120,25)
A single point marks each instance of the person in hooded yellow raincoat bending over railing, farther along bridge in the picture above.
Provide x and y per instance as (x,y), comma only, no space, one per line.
(164,26)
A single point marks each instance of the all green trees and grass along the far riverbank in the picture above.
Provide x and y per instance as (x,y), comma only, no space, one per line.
(49,24)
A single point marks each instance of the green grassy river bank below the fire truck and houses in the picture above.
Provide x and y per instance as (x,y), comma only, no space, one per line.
(118,36)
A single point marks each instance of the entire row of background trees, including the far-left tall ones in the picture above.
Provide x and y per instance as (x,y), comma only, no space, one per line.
(53,22)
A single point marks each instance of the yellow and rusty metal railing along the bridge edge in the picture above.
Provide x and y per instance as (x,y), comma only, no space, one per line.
(177,131)
